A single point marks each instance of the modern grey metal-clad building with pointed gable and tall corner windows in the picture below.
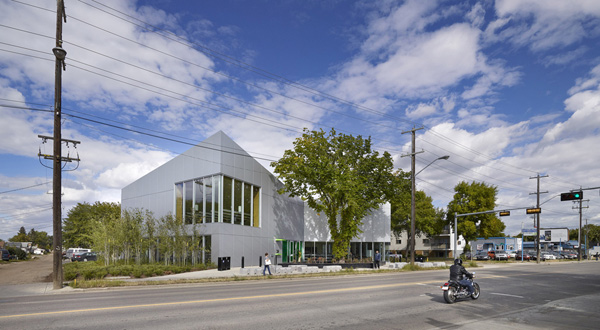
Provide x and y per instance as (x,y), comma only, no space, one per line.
(219,188)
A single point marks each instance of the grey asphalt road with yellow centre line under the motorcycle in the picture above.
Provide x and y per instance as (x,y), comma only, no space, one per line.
(526,296)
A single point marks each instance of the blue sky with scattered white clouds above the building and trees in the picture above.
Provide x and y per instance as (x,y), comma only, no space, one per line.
(509,89)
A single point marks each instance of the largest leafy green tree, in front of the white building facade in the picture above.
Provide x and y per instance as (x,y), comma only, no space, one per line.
(338,175)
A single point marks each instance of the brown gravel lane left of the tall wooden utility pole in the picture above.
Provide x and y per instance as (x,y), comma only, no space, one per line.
(36,270)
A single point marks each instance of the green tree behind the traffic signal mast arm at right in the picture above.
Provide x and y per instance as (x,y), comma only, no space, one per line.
(472,198)
